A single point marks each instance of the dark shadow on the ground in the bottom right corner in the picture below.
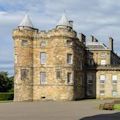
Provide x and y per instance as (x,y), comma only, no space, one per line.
(114,116)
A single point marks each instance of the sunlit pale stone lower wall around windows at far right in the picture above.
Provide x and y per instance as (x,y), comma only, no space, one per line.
(108,86)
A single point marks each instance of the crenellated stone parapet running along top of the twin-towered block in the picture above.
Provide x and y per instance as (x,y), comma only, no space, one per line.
(35,33)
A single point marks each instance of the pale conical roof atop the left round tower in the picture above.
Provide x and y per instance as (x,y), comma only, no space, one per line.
(26,22)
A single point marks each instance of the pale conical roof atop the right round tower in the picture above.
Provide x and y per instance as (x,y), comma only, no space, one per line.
(63,21)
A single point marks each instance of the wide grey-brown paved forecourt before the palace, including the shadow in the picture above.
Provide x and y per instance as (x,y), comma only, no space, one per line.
(49,110)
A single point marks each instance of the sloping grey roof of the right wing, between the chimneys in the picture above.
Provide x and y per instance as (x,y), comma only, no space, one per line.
(96,46)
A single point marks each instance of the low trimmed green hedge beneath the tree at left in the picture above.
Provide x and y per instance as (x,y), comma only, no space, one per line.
(6,96)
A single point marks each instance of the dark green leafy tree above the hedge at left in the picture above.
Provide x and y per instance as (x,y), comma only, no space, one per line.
(6,83)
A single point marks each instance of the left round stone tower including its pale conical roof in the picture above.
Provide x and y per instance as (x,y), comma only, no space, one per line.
(23,44)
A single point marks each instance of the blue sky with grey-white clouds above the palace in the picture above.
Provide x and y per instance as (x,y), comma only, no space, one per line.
(100,18)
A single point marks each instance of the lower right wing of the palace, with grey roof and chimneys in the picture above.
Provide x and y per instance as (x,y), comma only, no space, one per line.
(103,71)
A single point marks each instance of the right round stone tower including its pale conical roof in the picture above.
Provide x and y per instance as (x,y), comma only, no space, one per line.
(62,42)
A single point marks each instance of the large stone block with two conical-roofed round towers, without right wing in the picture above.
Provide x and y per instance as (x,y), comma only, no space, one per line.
(48,65)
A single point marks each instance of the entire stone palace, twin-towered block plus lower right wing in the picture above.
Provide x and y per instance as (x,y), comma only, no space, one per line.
(61,65)
